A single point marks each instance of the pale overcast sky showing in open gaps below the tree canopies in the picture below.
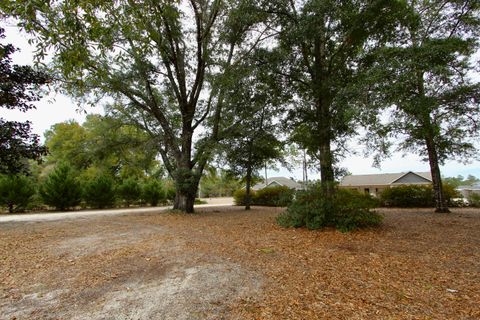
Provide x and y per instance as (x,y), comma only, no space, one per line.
(56,108)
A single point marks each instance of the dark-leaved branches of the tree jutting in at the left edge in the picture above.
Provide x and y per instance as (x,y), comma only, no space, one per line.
(19,87)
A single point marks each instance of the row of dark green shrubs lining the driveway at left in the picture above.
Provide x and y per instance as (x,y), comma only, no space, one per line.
(63,190)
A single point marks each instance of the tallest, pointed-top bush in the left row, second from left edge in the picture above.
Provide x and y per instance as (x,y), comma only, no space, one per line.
(61,188)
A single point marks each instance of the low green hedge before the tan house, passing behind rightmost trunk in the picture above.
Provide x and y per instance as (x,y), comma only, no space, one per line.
(410,196)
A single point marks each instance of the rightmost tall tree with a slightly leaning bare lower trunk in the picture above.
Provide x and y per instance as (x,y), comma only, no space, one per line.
(423,76)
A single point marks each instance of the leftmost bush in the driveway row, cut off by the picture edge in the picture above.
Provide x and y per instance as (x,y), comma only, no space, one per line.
(16,192)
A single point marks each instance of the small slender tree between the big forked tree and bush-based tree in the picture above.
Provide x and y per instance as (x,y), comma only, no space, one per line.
(254,104)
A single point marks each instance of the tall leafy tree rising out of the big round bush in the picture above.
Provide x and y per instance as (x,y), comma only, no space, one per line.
(322,42)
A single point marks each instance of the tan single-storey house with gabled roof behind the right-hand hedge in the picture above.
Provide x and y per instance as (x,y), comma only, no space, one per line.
(374,184)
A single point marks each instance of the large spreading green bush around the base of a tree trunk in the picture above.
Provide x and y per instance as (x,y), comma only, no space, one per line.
(346,210)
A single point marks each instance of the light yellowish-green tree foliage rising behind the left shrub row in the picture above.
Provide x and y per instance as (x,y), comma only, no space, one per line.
(104,142)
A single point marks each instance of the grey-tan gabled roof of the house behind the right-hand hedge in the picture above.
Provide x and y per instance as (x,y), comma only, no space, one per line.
(386,179)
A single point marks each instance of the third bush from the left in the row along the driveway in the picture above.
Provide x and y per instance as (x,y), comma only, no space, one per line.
(99,192)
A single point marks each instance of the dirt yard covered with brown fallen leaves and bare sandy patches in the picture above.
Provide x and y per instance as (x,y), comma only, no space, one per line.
(225,263)
